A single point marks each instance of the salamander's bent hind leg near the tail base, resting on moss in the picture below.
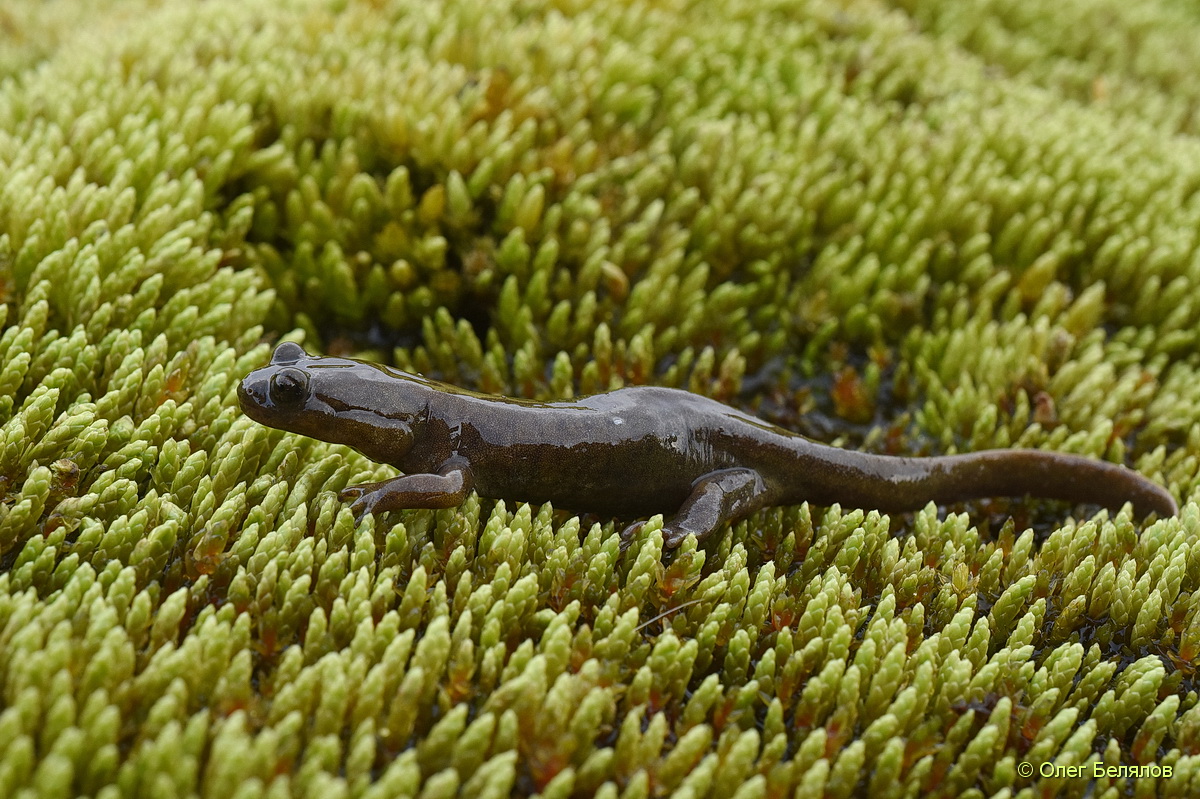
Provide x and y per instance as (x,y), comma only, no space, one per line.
(718,497)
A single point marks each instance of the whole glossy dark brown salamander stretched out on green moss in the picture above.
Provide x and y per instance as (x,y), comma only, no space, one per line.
(633,453)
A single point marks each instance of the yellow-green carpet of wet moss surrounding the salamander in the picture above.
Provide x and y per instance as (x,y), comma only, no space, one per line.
(922,227)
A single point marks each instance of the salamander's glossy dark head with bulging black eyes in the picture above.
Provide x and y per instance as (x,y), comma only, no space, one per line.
(337,400)
